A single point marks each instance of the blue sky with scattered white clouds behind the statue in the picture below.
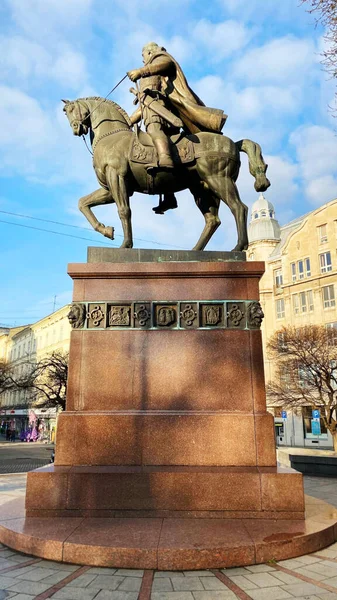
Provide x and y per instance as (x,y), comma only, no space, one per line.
(258,60)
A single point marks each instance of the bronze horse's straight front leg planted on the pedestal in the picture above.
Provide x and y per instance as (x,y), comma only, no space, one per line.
(117,186)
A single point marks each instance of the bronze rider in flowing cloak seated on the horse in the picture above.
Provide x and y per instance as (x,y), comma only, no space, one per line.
(162,78)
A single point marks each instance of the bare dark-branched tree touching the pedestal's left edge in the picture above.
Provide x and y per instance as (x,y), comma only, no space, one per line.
(46,381)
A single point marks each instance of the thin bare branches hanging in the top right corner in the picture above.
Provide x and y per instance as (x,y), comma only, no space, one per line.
(325,12)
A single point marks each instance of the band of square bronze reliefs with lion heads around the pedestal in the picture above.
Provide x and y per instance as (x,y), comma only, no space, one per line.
(193,314)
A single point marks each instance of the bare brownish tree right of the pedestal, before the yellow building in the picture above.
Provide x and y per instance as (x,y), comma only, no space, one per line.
(306,371)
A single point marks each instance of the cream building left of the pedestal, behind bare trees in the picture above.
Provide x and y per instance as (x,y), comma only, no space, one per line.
(24,347)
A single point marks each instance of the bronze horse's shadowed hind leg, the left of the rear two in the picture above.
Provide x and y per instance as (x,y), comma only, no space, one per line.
(208,204)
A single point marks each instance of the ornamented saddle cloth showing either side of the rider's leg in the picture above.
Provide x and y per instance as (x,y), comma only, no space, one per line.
(142,150)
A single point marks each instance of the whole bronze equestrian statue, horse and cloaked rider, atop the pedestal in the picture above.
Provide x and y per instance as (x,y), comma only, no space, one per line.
(181,149)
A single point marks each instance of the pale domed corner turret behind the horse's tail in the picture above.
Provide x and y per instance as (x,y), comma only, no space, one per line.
(263,230)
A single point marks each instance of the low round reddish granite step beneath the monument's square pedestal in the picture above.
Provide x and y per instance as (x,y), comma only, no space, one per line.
(167,544)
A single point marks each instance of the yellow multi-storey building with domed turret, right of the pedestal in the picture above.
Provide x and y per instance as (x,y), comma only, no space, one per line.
(299,287)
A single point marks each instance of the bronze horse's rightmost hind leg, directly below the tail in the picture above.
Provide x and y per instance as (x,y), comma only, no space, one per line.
(225,189)
